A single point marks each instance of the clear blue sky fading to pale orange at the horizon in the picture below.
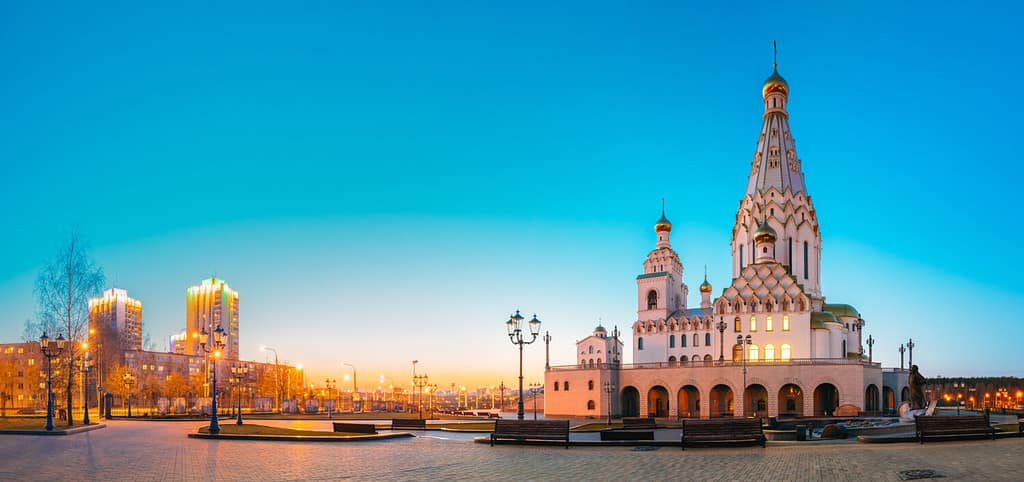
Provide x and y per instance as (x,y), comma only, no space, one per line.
(386,183)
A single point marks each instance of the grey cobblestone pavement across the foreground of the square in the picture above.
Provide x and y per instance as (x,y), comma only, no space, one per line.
(160,451)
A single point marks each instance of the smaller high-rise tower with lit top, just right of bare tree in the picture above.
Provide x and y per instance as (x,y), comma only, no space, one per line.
(117,317)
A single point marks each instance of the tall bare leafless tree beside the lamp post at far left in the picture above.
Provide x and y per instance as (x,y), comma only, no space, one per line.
(63,291)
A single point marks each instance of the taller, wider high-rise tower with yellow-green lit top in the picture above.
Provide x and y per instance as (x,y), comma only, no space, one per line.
(209,305)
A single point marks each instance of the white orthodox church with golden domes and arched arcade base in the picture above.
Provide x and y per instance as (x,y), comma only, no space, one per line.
(770,345)
